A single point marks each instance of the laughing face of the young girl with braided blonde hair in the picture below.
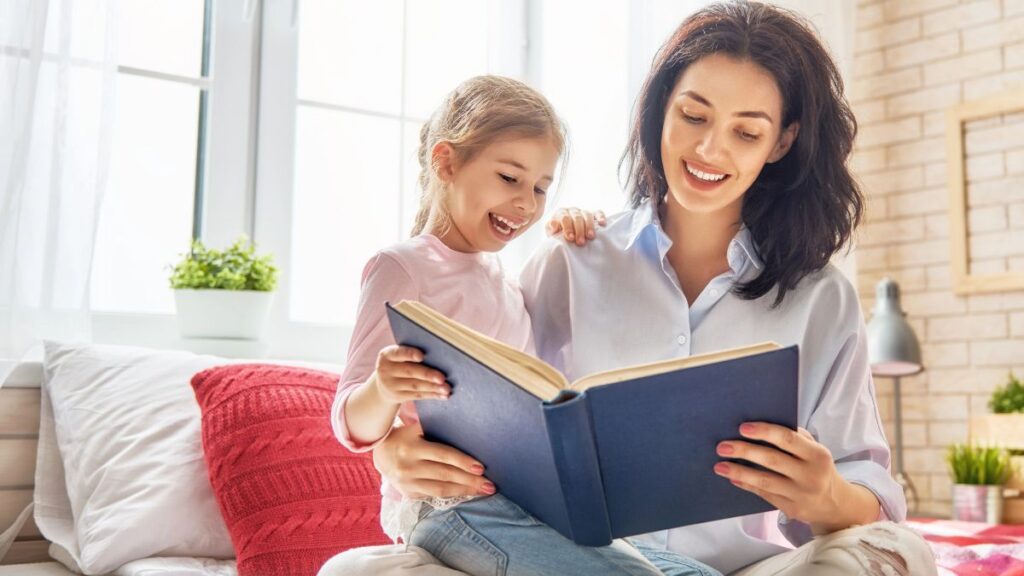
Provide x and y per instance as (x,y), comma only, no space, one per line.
(498,194)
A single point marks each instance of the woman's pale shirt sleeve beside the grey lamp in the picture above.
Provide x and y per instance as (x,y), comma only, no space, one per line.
(846,420)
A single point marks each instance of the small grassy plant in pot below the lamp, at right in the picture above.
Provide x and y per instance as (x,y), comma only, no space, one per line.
(979,475)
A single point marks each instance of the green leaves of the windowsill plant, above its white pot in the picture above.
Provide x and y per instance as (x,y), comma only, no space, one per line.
(237,268)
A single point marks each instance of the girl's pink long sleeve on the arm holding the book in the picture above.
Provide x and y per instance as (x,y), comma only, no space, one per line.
(385,280)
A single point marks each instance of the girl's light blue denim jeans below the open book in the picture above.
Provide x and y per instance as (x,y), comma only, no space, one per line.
(494,537)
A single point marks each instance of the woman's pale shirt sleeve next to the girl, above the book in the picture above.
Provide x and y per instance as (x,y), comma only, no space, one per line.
(546,292)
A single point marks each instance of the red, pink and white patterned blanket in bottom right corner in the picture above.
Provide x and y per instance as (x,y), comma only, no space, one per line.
(968,548)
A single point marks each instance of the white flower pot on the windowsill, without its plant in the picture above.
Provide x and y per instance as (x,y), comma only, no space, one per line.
(223,314)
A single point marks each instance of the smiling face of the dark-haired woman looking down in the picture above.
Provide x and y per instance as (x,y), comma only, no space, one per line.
(722,125)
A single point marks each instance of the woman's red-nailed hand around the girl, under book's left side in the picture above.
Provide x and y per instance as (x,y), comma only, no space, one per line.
(419,469)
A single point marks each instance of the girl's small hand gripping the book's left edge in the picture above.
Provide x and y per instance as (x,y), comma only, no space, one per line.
(401,378)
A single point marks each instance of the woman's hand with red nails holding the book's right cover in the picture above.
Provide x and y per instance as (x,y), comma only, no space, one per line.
(801,479)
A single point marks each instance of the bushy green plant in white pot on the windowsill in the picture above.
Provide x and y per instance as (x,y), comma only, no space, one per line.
(224,294)
